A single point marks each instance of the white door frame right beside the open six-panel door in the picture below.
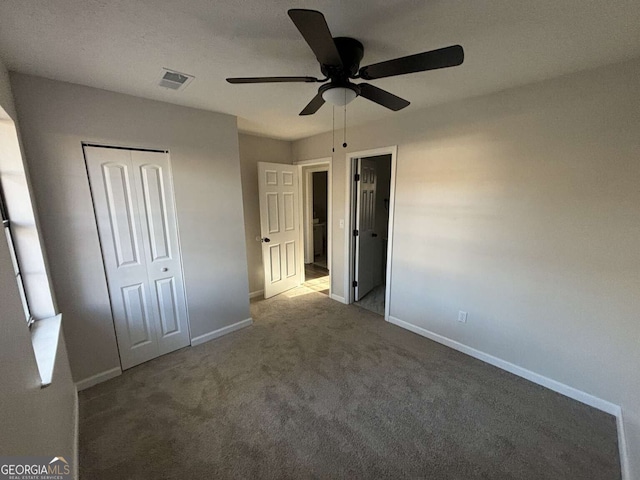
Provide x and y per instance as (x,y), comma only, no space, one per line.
(324,164)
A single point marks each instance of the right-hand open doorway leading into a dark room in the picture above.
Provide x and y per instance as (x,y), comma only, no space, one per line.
(370,188)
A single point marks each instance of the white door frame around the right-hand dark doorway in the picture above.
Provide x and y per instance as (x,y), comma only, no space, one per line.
(349,215)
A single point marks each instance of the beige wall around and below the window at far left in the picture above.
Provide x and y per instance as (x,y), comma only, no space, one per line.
(34,421)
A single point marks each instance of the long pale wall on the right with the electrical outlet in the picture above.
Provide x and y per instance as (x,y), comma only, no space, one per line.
(521,208)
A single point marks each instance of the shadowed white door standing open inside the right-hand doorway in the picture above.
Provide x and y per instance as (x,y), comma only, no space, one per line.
(365,268)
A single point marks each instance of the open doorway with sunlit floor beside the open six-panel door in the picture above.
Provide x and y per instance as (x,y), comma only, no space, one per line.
(316,208)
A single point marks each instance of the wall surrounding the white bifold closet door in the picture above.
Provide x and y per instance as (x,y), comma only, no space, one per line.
(55,118)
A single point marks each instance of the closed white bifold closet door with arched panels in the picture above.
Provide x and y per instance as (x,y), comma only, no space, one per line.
(133,201)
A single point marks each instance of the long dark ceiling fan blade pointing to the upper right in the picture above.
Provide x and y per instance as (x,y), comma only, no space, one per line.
(434,59)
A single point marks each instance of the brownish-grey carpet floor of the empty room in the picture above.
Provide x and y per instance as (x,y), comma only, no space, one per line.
(317,389)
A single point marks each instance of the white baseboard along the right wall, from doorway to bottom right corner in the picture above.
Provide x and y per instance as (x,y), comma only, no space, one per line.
(566,390)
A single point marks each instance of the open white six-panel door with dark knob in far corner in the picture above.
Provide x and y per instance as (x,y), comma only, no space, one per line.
(279,226)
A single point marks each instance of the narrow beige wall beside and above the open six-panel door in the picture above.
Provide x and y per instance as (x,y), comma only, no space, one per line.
(255,149)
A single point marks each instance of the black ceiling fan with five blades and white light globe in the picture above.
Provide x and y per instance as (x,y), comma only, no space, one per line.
(340,58)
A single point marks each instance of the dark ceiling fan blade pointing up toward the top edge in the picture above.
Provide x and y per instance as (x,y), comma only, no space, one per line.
(315,31)
